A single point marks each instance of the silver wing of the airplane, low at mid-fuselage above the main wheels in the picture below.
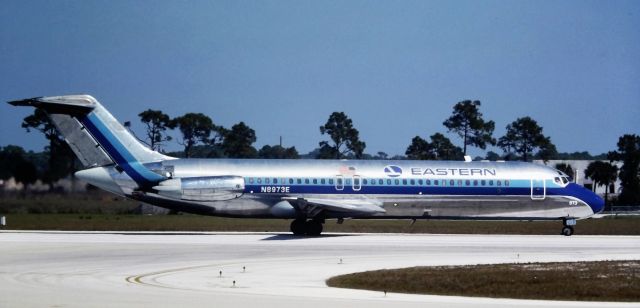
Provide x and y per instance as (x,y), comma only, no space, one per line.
(360,206)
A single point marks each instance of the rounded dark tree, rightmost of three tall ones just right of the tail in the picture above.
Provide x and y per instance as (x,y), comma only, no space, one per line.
(238,142)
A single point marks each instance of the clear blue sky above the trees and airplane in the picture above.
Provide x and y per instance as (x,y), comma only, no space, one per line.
(395,67)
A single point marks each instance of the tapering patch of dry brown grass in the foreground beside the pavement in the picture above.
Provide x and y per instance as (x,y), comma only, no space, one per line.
(584,281)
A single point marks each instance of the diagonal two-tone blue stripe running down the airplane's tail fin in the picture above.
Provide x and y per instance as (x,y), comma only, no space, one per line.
(141,175)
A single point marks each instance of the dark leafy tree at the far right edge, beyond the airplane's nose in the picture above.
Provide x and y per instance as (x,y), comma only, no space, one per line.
(629,153)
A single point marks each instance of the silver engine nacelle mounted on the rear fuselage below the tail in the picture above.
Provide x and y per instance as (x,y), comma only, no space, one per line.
(206,188)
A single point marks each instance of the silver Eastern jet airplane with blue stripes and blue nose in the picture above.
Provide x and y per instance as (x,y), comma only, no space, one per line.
(311,191)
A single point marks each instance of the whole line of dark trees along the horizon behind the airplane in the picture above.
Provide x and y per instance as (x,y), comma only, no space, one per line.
(201,137)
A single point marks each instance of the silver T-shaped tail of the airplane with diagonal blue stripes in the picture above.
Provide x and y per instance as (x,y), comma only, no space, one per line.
(96,137)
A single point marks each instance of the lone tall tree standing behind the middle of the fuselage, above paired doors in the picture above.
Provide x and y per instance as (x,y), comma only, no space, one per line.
(345,137)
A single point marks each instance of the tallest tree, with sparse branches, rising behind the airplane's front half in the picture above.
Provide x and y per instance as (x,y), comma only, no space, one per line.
(466,121)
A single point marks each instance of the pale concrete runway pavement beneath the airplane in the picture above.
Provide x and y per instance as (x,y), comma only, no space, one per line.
(87,269)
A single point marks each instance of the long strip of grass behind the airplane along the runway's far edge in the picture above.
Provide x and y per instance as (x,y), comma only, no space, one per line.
(186,222)
